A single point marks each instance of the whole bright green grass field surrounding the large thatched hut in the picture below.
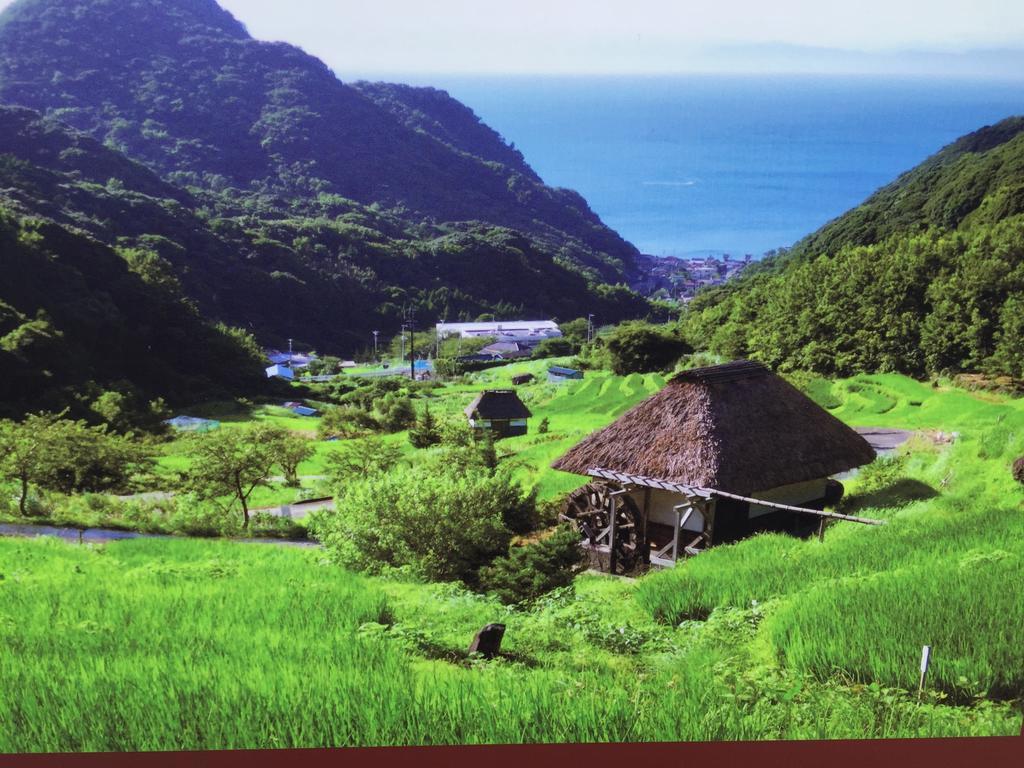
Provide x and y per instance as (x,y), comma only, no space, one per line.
(187,645)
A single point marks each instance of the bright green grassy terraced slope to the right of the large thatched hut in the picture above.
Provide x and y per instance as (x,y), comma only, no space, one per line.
(947,571)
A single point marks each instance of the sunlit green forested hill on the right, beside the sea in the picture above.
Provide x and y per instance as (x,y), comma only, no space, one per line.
(926,277)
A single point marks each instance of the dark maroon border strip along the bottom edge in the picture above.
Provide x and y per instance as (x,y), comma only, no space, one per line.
(976,753)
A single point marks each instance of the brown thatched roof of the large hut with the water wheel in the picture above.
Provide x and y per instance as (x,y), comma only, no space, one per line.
(738,429)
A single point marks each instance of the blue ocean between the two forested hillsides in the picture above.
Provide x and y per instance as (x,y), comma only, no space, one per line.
(742,165)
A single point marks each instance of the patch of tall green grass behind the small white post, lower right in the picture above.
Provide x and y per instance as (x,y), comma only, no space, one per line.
(873,628)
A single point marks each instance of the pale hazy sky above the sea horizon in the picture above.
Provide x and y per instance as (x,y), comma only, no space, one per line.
(368,37)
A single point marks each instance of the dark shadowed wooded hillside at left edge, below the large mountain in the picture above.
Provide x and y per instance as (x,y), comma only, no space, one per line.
(79,321)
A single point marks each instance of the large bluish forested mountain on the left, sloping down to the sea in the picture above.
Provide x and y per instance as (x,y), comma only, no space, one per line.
(284,201)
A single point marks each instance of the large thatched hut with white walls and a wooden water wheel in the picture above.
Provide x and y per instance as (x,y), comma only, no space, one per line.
(687,468)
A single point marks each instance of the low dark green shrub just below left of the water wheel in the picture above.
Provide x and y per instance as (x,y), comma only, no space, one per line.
(528,573)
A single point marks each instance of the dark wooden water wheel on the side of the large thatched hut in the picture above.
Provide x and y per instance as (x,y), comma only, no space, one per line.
(590,509)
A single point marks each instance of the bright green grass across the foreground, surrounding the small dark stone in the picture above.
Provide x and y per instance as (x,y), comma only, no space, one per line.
(187,646)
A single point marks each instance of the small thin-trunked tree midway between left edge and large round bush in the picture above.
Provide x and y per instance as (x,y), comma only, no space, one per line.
(233,463)
